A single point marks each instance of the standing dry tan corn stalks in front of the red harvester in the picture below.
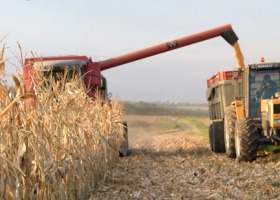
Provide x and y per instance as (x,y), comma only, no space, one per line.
(56,143)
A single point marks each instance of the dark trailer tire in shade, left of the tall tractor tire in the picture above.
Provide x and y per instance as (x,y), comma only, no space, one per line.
(218,137)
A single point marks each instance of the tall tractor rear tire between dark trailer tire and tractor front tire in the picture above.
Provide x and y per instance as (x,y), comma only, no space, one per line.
(229,130)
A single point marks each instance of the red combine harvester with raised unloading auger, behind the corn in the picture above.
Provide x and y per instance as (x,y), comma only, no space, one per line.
(91,71)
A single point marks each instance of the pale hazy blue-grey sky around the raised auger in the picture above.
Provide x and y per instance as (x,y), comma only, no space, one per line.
(106,29)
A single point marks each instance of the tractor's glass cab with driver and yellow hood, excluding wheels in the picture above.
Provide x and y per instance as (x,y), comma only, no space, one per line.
(264,88)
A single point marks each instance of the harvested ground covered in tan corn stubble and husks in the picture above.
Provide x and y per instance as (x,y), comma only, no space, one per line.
(177,164)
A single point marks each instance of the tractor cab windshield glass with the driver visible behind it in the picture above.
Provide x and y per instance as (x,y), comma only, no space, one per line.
(263,85)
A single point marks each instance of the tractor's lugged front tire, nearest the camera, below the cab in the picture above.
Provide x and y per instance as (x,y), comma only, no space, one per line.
(246,140)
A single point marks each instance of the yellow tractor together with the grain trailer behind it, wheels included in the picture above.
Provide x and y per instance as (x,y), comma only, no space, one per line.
(244,105)
